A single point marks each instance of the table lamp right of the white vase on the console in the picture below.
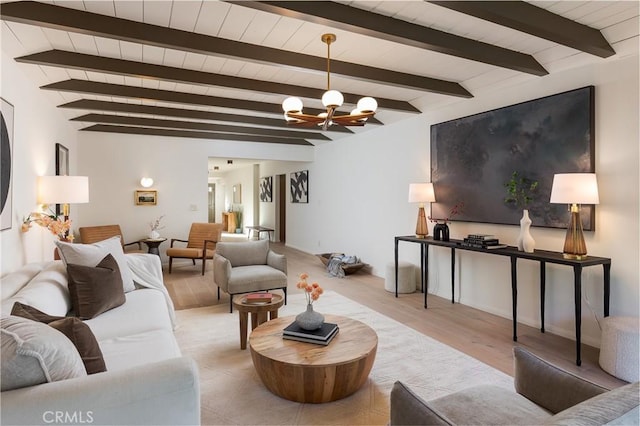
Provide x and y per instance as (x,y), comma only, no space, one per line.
(574,189)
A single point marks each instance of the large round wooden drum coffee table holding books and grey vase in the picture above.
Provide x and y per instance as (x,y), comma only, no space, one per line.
(306,372)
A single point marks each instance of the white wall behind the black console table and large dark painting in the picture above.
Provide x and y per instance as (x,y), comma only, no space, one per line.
(358,209)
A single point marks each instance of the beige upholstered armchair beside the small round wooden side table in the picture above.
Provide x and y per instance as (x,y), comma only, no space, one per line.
(247,266)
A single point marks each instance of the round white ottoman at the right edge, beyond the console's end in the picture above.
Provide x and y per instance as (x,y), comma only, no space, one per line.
(619,347)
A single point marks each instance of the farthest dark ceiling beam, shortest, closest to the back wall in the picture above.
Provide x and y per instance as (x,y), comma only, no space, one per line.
(192,134)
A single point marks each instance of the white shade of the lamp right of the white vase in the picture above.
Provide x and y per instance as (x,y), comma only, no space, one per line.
(574,188)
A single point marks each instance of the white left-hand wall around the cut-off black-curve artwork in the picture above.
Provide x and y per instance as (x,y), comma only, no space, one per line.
(37,126)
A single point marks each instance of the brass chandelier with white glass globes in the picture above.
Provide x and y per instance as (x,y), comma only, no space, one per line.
(332,100)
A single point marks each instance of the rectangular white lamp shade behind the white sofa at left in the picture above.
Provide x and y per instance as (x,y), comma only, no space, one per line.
(63,189)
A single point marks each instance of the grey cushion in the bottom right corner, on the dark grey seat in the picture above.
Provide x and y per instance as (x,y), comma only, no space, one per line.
(608,407)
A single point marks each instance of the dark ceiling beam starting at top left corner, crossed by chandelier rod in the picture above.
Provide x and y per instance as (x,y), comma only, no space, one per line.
(78,21)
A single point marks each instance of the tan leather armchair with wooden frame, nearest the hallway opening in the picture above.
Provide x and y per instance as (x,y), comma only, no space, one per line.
(201,244)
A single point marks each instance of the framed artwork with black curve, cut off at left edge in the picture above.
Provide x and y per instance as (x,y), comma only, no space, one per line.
(6,164)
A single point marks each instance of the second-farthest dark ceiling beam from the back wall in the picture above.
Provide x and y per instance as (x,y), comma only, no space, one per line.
(193,125)
